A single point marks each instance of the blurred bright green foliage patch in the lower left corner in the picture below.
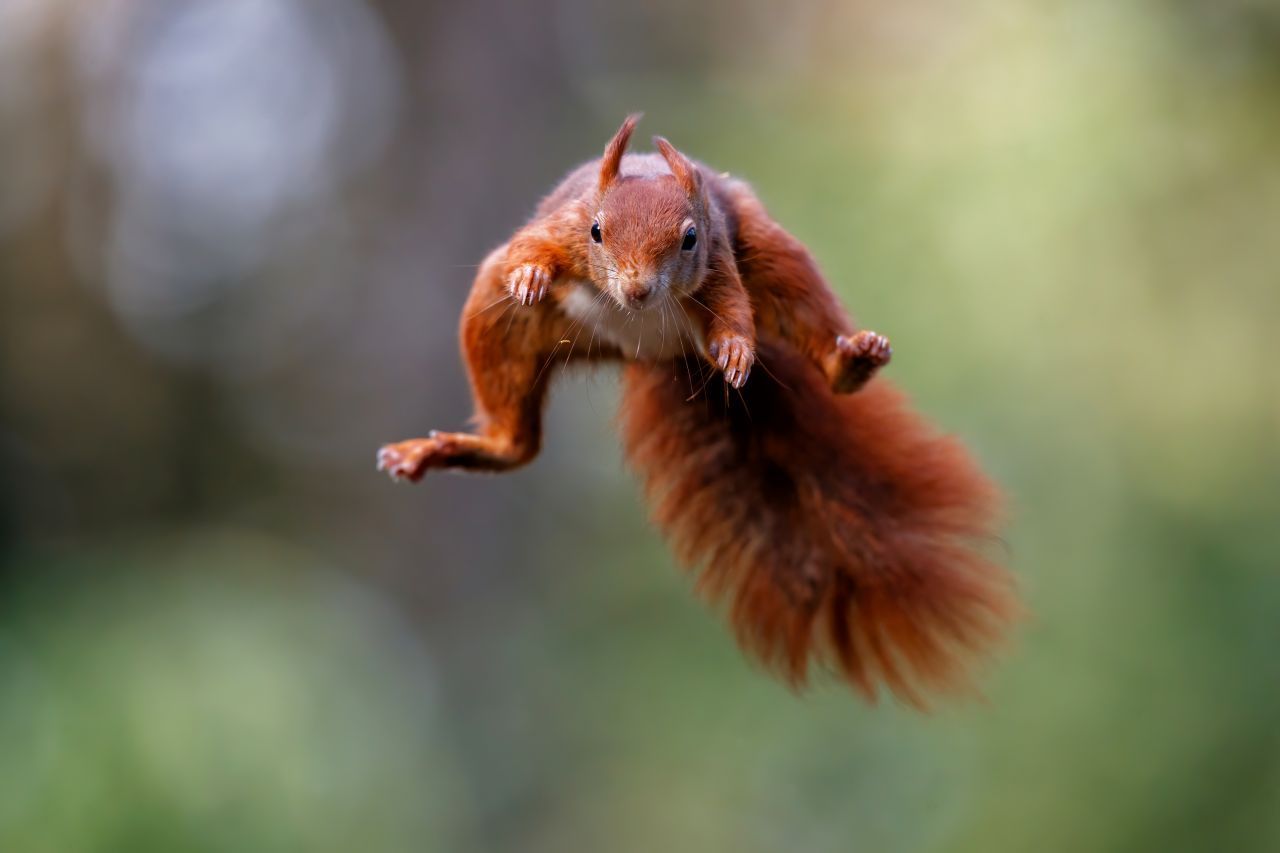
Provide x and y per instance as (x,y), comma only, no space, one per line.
(190,699)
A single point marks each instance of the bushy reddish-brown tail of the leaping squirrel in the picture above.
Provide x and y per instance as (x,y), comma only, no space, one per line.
(843,531)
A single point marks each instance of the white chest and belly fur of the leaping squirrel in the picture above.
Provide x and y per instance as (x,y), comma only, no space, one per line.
(652,335)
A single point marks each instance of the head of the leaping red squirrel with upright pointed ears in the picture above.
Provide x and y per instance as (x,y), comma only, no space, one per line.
(648,239)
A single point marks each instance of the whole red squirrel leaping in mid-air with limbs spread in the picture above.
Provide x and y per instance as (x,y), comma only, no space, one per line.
(839,526)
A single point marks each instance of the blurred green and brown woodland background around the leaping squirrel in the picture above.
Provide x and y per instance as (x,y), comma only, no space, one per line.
(235,241)
